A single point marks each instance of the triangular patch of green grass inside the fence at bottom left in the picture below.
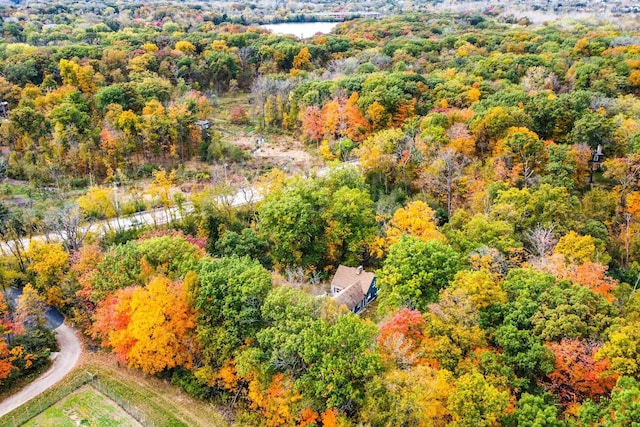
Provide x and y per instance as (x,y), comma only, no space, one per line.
(86,407)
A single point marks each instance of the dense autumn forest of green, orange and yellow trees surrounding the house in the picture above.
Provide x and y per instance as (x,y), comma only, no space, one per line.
(487,172)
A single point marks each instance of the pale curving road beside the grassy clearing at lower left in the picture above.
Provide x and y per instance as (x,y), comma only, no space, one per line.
(65,361)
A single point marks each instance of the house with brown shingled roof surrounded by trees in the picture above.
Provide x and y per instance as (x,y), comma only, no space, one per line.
(353,287)
